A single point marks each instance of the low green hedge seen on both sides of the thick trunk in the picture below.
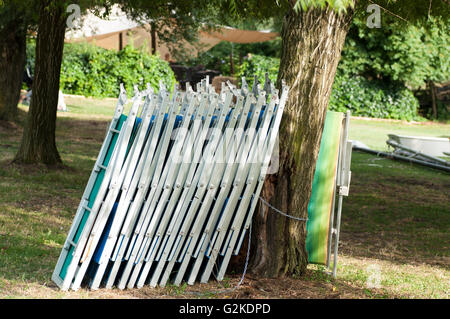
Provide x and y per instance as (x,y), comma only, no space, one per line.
(363,97)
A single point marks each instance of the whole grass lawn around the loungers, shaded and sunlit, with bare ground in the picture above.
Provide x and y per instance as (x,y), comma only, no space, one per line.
(394,236)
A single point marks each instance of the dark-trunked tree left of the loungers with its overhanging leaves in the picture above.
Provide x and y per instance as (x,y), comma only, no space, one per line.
(38,141)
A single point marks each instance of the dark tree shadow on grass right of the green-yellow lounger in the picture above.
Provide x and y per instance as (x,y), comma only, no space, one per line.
(397,212)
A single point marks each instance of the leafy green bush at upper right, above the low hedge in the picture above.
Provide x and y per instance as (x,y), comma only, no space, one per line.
(413,54)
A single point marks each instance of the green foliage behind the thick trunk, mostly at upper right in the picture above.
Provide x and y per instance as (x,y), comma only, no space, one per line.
(379,68)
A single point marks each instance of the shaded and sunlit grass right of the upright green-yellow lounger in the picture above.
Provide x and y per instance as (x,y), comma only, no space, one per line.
(397,217)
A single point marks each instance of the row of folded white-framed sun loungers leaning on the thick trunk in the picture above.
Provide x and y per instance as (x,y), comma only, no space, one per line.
(174,187)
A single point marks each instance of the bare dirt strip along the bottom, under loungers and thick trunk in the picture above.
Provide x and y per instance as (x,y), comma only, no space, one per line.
(312,285)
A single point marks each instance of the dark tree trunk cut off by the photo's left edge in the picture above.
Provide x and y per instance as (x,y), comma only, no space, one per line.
(12,64)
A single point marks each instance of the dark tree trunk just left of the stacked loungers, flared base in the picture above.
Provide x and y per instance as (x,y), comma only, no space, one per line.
(38,141)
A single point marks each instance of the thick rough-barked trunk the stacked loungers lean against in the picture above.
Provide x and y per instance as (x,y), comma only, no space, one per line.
(311,47)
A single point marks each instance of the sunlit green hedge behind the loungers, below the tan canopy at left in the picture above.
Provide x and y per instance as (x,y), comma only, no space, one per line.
(93,71)
